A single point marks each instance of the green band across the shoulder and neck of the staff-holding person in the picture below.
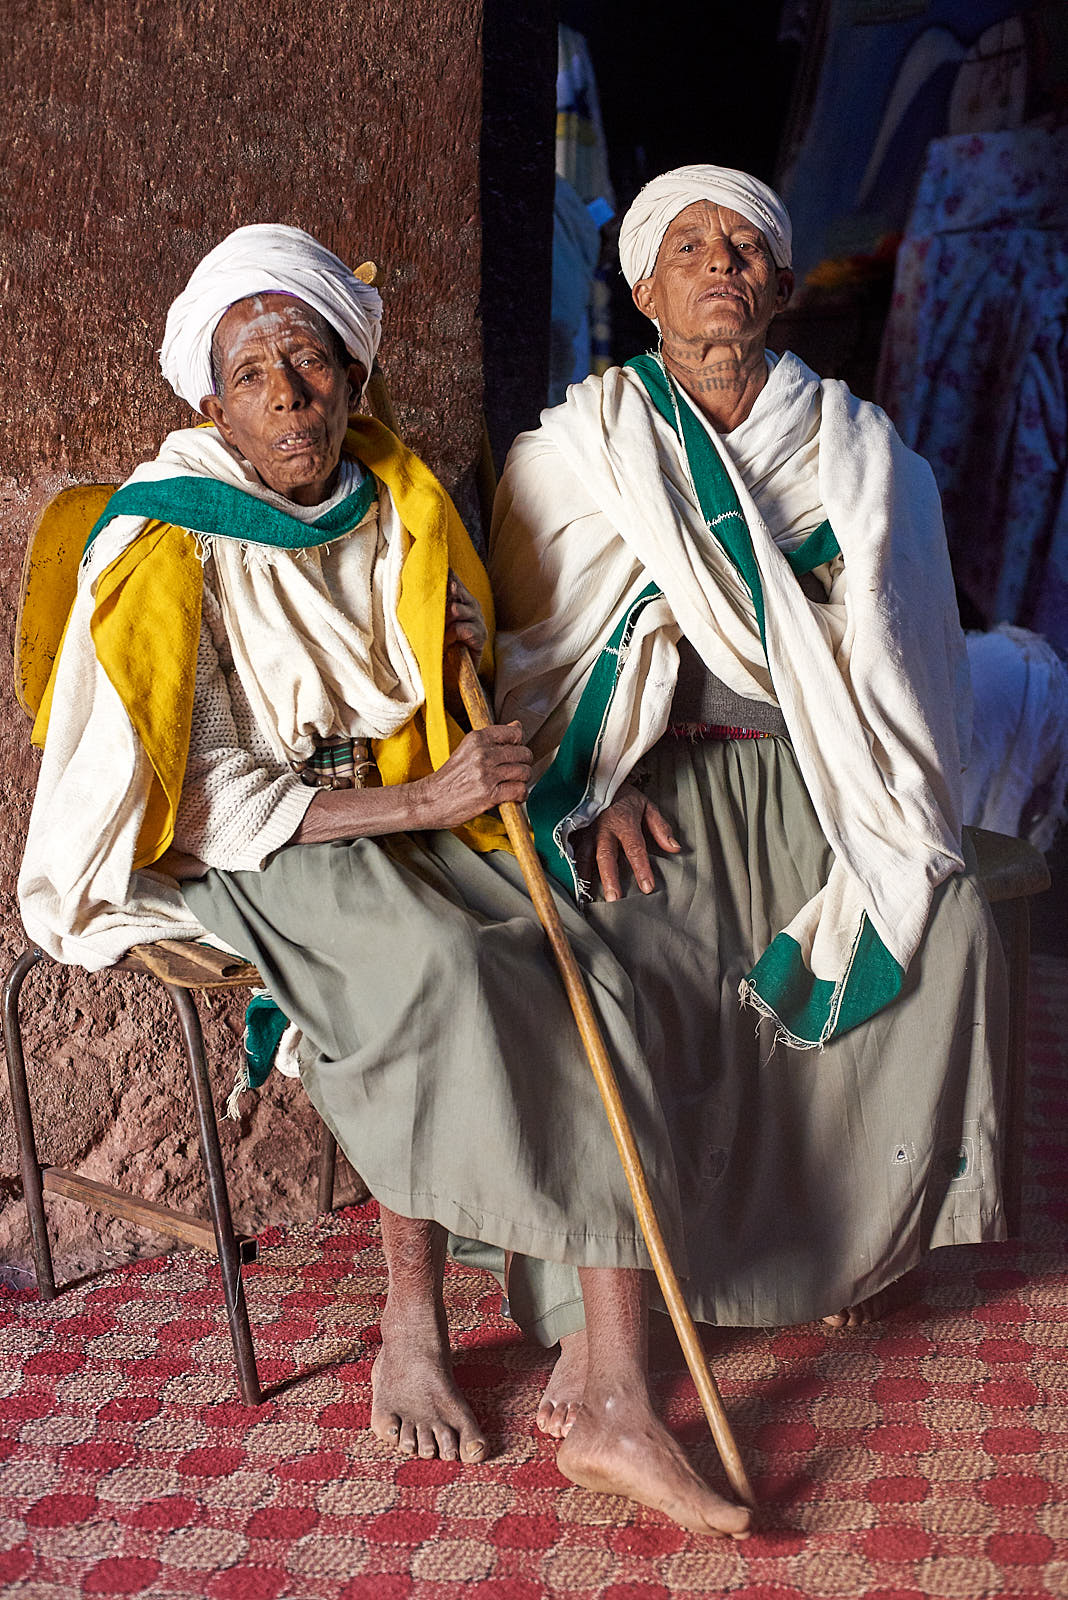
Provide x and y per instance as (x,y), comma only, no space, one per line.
(215,508)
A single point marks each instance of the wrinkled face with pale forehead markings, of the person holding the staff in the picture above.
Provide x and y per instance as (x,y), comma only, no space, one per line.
(284,394)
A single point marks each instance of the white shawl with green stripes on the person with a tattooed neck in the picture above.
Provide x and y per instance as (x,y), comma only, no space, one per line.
(612,538)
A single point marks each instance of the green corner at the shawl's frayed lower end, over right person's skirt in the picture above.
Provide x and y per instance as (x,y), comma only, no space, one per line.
(815,1010)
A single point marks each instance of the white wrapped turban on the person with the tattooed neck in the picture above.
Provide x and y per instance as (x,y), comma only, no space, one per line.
(664,198)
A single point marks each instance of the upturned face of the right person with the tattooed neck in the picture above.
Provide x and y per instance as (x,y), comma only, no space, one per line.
(715,279)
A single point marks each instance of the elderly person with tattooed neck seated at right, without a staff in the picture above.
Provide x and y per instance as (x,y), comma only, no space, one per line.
(728,628)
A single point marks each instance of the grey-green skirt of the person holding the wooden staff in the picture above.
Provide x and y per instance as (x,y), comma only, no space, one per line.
(439,1044)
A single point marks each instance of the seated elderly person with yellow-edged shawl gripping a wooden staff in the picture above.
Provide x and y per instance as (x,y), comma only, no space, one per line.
(249,737)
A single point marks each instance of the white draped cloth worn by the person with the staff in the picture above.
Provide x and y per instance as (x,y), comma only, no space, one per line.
(314,634)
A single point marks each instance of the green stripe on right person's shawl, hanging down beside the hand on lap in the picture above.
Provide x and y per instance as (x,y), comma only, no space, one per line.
(564,786)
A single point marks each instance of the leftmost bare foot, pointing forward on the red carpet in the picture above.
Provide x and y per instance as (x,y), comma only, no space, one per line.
(416,1407)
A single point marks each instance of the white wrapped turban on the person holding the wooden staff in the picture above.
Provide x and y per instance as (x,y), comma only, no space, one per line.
(258,260)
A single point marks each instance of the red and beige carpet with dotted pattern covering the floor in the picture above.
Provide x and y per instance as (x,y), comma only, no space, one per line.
(927,1457)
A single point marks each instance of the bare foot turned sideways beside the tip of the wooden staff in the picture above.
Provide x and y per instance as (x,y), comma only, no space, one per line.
(618,1447)
